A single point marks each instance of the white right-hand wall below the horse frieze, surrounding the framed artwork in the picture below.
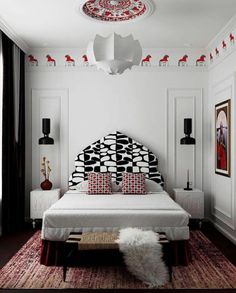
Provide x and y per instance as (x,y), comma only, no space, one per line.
(222,79)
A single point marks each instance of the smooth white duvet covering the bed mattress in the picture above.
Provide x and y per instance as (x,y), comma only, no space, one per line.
(76,212)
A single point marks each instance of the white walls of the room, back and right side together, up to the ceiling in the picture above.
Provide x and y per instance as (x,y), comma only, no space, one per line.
(148,104)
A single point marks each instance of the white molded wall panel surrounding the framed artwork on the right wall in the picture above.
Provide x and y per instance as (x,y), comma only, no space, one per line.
(223,188)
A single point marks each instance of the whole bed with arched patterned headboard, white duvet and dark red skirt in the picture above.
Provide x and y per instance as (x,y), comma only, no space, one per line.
(77,211)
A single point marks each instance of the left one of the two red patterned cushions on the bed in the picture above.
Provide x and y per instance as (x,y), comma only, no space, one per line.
(99,183)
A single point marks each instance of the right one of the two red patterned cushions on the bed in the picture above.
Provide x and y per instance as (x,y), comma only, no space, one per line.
(133,183)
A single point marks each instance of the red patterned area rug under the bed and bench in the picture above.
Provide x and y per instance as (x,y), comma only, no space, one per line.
(209,269)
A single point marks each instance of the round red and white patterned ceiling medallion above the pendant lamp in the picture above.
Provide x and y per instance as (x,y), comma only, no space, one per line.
(116,10)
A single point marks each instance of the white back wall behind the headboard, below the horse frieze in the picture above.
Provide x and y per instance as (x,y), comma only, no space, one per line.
(86,104)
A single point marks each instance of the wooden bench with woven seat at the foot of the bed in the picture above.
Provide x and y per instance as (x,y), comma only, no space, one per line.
(90,242)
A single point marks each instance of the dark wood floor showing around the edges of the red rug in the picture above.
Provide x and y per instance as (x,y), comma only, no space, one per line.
(10,244)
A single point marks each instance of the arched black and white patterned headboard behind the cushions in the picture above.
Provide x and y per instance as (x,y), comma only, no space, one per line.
(115,153)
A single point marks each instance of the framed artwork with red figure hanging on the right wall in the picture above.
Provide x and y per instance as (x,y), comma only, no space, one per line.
(222,138)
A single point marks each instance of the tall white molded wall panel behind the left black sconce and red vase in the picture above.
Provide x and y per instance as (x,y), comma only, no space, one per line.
(53,104)
